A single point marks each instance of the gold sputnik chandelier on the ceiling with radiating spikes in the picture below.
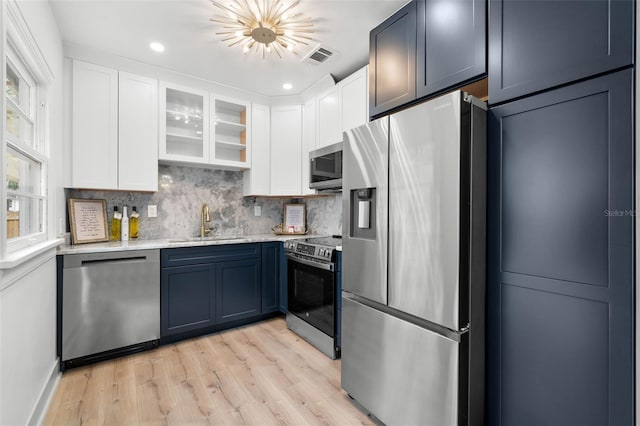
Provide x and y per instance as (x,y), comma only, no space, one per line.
(263,26)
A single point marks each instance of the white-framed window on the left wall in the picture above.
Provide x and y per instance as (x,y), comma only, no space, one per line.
(26,160)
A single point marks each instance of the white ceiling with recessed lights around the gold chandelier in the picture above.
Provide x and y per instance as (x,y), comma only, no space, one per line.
(126,28)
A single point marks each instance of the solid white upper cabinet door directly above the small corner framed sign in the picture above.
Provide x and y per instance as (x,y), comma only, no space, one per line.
(286,150)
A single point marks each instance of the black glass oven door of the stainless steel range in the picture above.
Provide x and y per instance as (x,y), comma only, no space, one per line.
(311,292)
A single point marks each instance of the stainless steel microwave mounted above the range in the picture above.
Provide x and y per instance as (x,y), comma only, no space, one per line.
(325,168)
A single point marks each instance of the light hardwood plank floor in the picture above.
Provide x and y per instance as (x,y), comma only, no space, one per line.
(260,374)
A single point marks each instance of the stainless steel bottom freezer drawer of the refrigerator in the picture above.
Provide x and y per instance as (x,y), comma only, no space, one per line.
(403,374)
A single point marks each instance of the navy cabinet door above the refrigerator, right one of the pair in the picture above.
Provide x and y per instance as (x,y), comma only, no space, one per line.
(451,43)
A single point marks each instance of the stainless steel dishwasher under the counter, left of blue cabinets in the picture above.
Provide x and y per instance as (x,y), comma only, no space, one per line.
(110,304)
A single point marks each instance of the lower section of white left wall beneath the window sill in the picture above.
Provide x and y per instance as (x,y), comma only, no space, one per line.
(28,343)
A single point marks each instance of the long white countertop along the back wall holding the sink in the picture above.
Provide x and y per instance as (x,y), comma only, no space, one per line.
(172,243)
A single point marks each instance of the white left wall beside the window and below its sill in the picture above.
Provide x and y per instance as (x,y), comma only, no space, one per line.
(28,362)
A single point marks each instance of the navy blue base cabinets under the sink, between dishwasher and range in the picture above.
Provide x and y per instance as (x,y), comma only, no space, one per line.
(205,289)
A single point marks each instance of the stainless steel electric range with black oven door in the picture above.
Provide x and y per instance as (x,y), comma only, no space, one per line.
(313,291)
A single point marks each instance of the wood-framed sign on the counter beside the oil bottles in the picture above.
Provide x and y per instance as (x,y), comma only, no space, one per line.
(88,221)
